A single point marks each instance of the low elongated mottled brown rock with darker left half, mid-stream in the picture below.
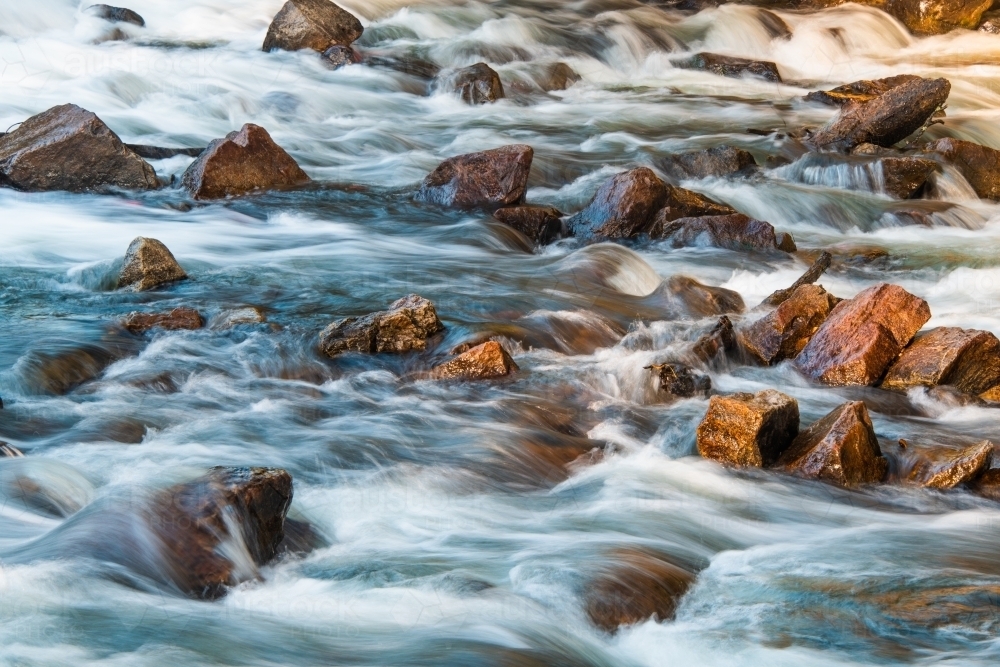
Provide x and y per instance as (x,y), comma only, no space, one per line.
(405,327)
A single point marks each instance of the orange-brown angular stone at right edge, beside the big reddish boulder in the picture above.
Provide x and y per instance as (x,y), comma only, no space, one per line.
(967,359)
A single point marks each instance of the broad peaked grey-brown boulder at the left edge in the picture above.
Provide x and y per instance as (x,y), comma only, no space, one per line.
(69,148)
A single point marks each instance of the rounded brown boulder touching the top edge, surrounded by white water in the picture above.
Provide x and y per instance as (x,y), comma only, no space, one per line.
(311,24)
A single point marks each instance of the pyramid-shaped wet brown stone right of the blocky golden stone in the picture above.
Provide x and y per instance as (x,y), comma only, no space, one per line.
(840,448)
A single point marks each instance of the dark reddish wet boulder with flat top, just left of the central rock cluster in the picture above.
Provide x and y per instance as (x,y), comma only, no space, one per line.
(489,179)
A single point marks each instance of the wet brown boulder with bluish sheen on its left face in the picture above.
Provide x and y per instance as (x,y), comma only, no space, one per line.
(623,208)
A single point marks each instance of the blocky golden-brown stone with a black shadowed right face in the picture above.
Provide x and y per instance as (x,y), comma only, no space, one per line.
(748,429)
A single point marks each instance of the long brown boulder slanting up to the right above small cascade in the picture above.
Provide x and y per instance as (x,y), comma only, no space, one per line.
(886,119)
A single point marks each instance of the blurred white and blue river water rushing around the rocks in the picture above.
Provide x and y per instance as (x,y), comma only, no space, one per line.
(457,534)
